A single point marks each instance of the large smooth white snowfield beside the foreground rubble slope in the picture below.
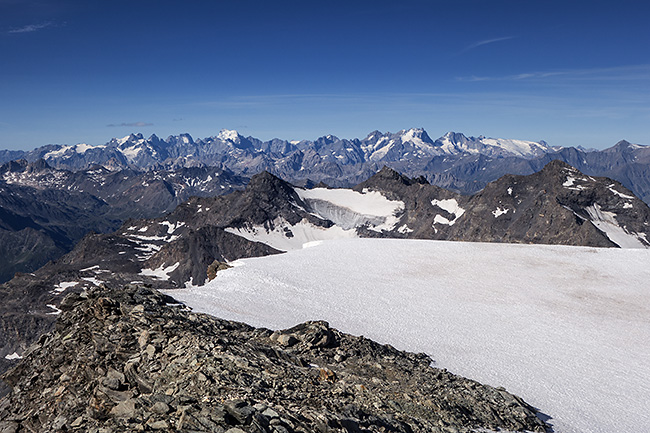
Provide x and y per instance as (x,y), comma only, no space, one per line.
(566,328)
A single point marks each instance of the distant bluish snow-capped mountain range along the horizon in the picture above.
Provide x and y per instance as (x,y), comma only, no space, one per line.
(453,161)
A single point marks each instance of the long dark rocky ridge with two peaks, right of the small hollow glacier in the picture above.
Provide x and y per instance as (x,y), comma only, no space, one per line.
(557,205)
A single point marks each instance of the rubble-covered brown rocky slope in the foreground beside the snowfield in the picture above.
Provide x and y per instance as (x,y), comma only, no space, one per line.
(133,360)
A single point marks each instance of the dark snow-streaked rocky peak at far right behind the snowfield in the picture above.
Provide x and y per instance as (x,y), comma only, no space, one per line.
(557,205)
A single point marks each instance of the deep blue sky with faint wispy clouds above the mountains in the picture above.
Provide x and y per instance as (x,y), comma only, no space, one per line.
(568,72)
